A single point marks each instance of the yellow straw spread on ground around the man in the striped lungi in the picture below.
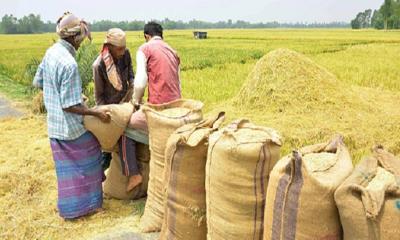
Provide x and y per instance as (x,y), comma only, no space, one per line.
(28,190)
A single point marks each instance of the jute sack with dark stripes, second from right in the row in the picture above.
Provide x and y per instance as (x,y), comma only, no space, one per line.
(300,198)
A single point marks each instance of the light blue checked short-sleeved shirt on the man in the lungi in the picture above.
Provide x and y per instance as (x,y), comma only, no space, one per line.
(59,77)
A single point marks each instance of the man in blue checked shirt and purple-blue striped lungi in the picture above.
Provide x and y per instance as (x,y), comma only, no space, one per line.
(76,152)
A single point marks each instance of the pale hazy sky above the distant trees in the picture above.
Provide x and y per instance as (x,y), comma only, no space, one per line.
(208,10)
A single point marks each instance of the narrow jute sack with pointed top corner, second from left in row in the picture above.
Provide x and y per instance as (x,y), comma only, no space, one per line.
(185,173)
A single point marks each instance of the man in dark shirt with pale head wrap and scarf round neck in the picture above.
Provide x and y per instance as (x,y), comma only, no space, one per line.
(113,81)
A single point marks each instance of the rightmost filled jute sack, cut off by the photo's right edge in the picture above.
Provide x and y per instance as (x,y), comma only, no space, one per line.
(369,200)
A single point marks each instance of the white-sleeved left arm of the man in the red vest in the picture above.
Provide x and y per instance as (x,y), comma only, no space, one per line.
(141,77)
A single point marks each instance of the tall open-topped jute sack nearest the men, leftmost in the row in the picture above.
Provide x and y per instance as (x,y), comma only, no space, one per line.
(162,121)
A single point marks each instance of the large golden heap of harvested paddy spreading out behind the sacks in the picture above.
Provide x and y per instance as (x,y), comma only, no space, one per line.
(308,104)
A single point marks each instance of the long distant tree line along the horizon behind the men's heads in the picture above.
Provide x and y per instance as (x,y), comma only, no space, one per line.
(34,24)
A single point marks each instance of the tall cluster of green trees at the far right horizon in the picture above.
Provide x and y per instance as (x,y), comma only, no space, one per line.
(386,17)
